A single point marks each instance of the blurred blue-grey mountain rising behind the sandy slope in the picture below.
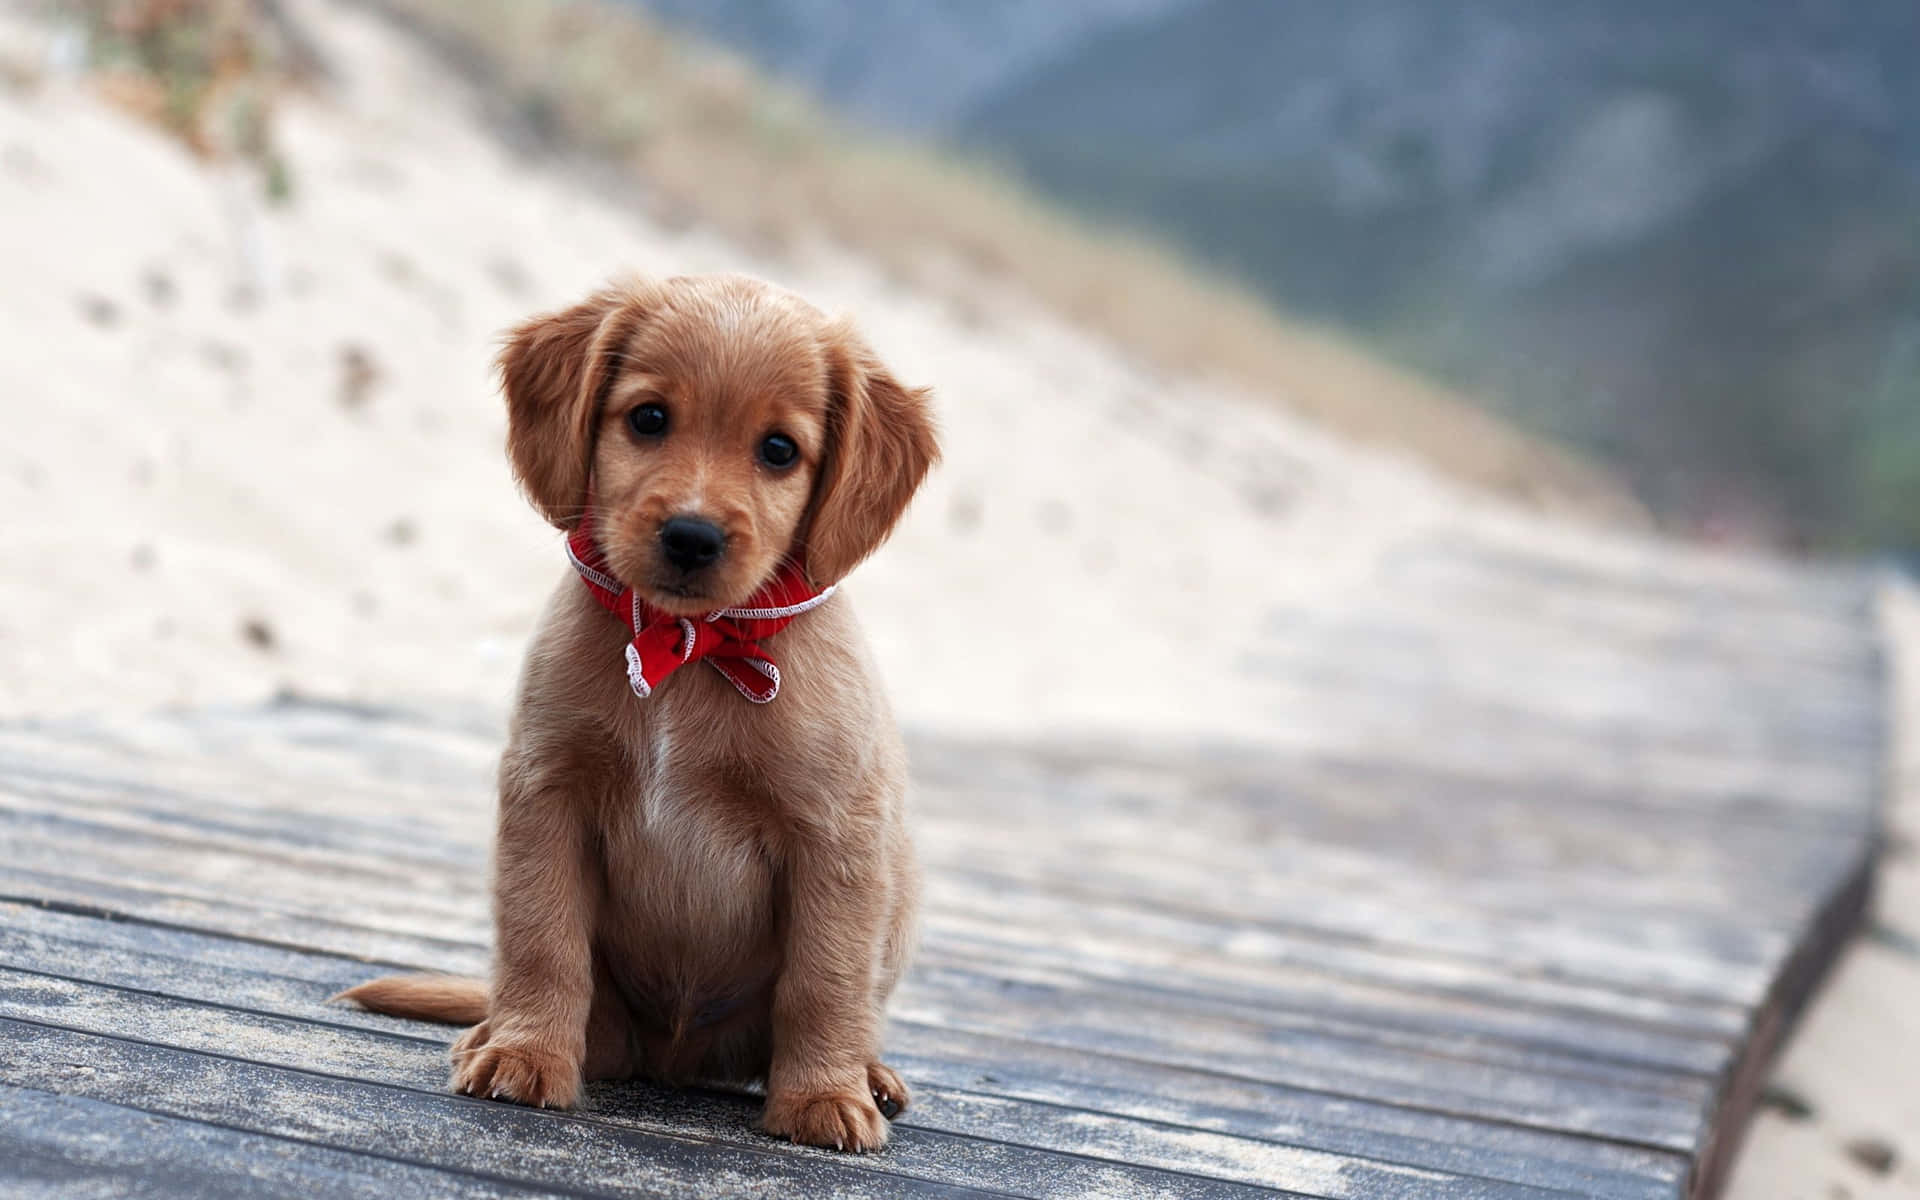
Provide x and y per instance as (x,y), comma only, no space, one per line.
(1681,235)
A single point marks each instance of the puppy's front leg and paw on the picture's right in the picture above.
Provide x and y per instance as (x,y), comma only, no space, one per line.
(827,1005)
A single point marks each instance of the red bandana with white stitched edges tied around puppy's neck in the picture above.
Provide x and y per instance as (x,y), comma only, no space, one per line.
(727,638)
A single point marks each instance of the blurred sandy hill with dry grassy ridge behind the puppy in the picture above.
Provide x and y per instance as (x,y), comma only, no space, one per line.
(260,256)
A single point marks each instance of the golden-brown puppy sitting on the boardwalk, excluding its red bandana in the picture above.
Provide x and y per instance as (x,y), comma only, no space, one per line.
(690,886)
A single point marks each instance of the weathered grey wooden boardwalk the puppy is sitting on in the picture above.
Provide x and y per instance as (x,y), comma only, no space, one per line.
(1541,865)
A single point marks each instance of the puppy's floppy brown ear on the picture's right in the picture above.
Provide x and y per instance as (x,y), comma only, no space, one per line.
(880,446)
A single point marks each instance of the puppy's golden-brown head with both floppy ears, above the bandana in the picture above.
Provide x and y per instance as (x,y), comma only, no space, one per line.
(719,427)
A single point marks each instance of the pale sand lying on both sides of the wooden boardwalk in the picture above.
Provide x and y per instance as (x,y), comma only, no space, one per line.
(258,448)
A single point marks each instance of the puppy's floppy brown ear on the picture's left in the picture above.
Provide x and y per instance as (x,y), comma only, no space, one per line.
(556,372)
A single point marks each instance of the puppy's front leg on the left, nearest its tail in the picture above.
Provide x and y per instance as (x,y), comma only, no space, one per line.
(533,1045)
